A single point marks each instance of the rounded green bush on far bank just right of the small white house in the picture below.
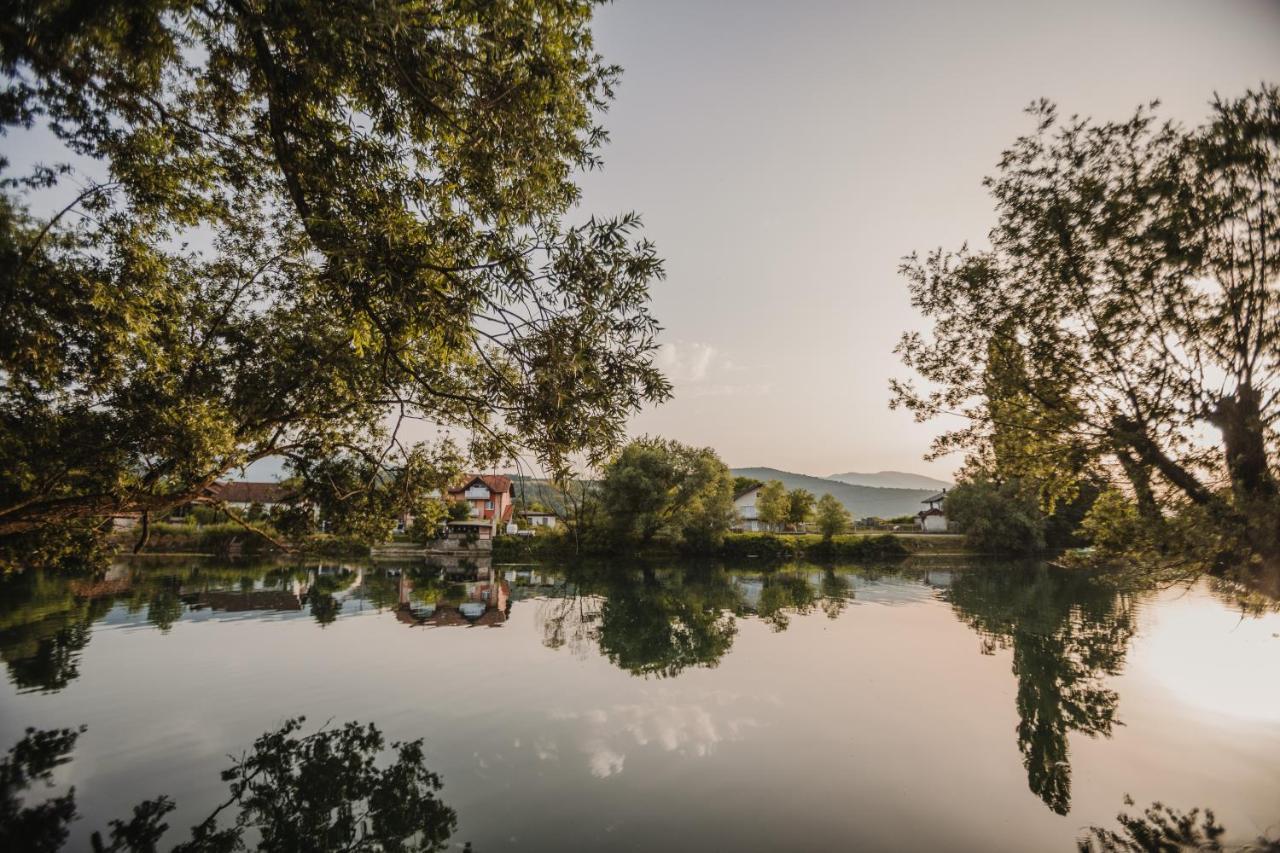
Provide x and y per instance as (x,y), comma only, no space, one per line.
(996,518)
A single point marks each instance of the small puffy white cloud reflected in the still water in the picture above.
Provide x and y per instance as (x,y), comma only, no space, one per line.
(687,729)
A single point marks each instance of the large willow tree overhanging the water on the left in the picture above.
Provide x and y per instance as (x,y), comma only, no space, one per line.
(285,229)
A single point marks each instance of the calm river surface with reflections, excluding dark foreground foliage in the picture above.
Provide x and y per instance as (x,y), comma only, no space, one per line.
(930,706)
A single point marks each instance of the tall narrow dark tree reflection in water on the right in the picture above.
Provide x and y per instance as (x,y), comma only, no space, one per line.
(1068,632)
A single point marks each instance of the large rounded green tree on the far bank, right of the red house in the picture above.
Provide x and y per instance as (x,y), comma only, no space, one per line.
(660,490)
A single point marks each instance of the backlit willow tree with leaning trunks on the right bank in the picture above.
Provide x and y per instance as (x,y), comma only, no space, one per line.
(1132,279)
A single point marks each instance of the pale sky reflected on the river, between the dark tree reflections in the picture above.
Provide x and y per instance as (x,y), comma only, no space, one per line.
(881,729)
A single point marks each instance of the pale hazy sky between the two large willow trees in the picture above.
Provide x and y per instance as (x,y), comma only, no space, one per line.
(787,156)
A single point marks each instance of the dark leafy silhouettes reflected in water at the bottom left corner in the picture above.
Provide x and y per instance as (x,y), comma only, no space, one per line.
(327,791)
